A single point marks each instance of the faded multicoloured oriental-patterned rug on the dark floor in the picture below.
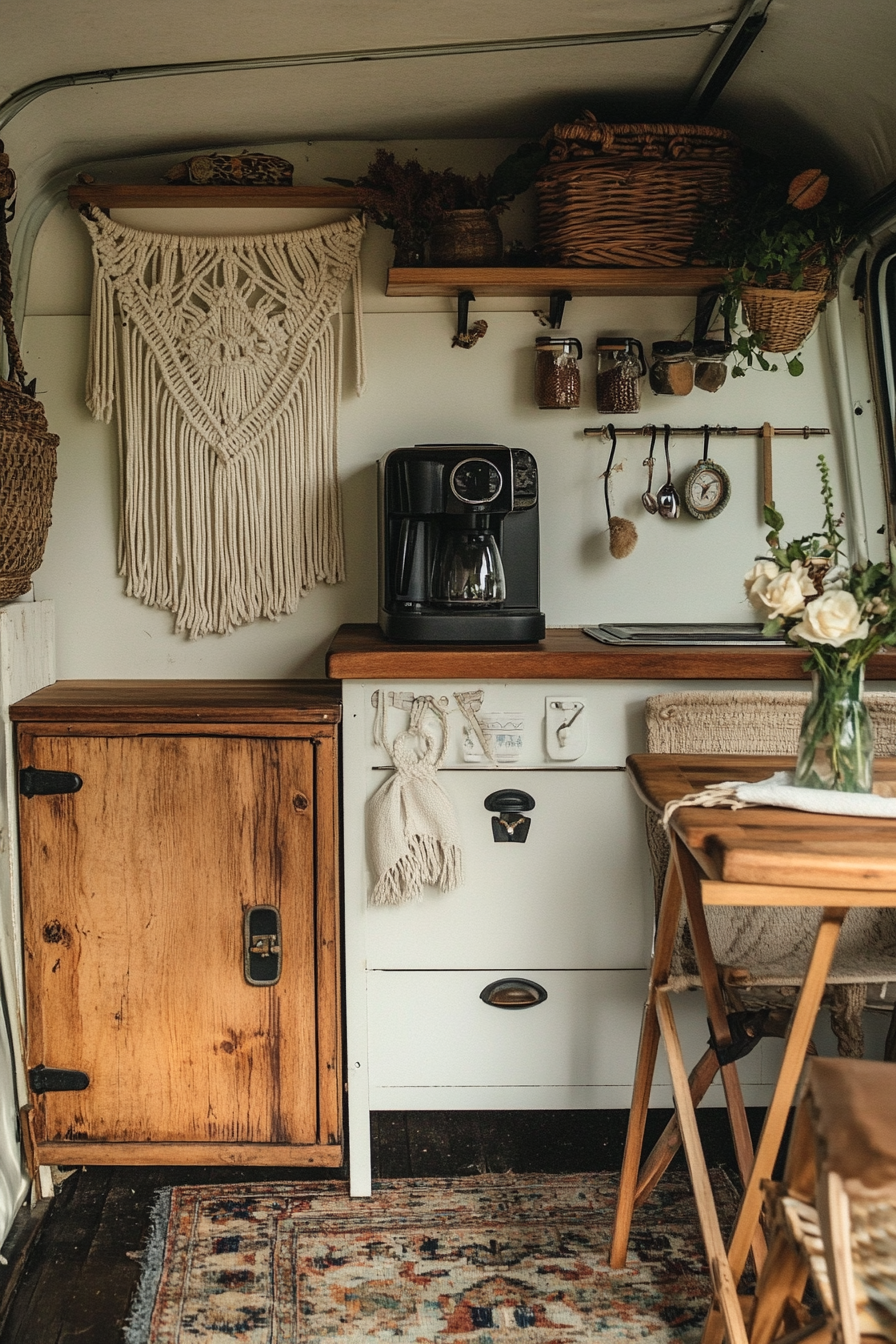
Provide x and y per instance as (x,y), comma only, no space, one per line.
(478,1260)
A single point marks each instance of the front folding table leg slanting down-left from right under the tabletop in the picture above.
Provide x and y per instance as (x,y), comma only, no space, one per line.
(773,1131)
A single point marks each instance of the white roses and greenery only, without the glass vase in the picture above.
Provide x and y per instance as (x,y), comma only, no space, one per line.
(840,614)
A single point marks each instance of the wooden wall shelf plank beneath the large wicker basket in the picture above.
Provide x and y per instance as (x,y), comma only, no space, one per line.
(522,282)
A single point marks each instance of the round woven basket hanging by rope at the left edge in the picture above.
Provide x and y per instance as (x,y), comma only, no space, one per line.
(28,448)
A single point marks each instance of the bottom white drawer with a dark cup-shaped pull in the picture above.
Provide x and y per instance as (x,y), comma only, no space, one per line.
(432,1030)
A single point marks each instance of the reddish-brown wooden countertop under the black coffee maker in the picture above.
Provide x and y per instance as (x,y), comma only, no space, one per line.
(361,653)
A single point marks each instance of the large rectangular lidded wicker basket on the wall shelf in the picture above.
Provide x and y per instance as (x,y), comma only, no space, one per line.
(629,196)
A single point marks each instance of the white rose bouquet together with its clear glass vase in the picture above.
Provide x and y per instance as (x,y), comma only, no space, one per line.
(842,615)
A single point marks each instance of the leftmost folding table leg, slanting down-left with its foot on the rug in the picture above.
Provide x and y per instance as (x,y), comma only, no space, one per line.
(664,944)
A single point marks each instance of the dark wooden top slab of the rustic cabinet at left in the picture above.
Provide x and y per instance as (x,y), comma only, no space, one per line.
(182,702)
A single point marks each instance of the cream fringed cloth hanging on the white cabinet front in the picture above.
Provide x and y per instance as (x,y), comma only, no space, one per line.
(412,829)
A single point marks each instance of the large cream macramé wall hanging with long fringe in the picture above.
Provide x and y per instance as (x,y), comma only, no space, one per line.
(226,366)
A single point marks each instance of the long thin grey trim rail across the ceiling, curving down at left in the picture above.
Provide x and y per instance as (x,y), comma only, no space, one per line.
(24,97)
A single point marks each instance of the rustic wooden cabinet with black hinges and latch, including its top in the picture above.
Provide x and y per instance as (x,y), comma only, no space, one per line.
(201,803)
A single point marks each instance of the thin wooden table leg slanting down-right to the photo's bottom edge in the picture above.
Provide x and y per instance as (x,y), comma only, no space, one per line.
(723,1282)
